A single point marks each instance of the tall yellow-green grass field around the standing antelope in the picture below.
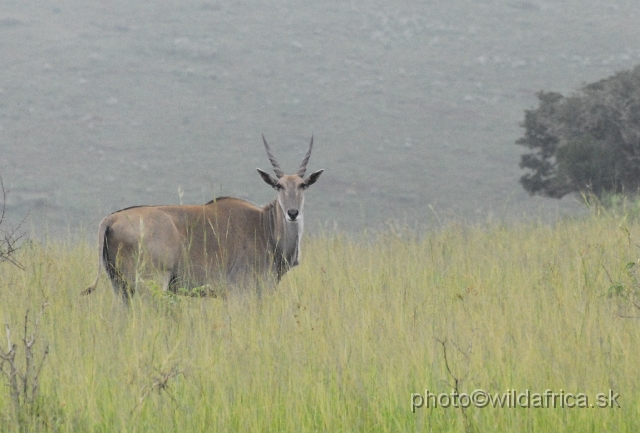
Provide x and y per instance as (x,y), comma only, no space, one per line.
(348,337)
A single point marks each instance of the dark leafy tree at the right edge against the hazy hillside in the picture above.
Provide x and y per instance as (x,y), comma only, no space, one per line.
(586,142)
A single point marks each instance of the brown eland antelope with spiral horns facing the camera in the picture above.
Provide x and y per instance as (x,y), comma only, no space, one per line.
(226,241)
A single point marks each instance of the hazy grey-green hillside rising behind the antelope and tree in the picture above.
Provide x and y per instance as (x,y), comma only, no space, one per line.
(415,106)
